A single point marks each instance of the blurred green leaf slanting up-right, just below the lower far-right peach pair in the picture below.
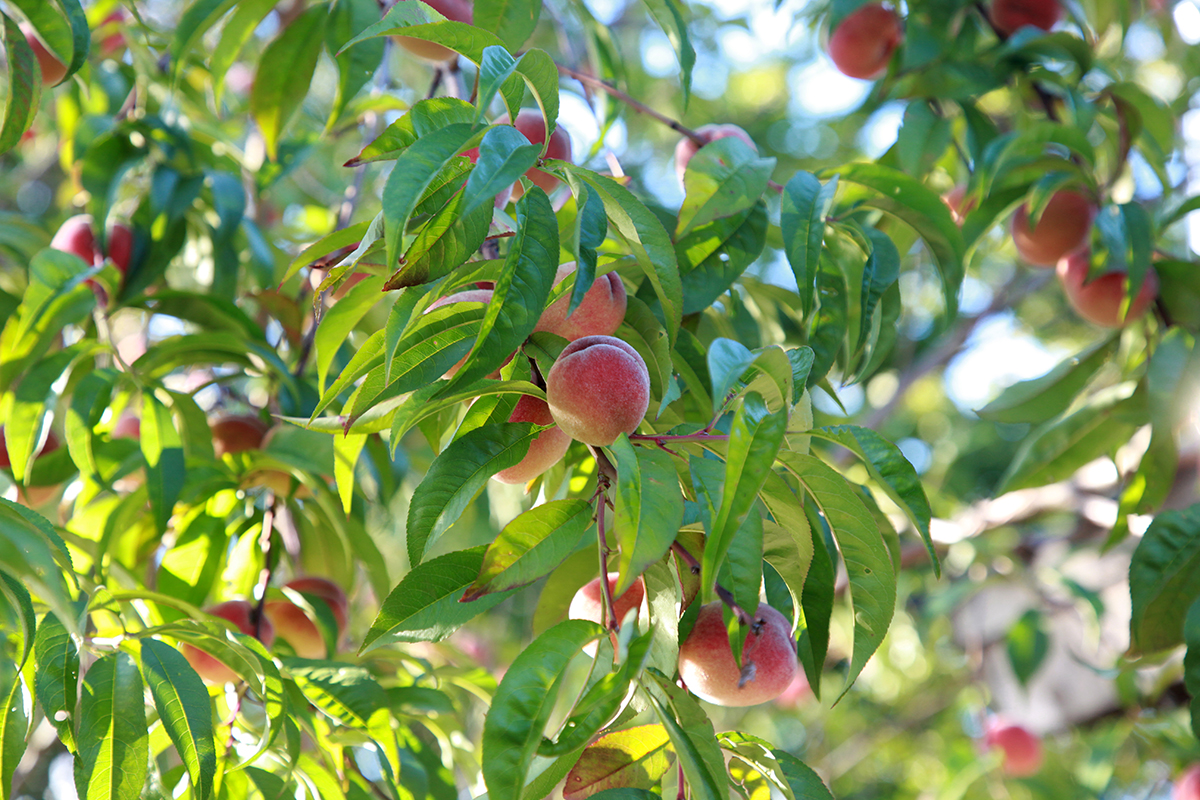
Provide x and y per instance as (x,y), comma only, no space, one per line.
(1042,399)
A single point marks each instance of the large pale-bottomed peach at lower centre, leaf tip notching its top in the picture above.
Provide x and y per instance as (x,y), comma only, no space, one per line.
(769,659)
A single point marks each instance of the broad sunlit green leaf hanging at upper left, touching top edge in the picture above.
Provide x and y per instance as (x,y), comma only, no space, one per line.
(285,75)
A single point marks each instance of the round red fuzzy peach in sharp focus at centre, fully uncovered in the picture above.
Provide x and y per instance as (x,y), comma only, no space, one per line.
(598,389)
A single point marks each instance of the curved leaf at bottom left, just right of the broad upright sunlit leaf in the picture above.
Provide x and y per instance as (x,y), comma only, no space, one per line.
(185,712)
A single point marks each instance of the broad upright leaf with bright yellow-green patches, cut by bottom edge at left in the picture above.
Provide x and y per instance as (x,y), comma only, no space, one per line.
(115,750)
